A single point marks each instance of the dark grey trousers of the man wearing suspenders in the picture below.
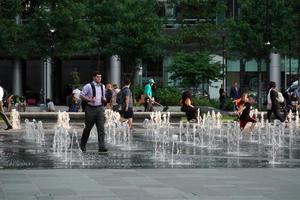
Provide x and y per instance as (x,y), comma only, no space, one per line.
(94,115)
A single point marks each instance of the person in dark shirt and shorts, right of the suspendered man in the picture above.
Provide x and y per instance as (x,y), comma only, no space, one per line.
(127,105)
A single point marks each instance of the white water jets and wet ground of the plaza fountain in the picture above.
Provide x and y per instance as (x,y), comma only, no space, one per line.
(209,142)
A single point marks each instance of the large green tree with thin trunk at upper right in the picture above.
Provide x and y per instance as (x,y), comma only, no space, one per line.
(258,23)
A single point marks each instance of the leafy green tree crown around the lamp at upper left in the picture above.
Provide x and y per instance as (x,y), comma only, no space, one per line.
(57,28)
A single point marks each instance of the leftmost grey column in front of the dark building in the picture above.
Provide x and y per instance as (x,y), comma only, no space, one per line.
(17,77)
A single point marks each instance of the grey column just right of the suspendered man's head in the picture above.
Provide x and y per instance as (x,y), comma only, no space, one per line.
(115,70)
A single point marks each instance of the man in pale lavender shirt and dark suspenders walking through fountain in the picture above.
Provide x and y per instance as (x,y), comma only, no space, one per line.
(94,94)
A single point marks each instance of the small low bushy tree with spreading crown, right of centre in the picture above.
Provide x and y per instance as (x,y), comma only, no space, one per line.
(194,68)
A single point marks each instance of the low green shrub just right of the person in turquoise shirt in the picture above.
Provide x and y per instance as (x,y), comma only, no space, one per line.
(168,96)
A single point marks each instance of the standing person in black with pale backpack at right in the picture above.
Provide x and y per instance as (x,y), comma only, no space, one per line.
(274,104)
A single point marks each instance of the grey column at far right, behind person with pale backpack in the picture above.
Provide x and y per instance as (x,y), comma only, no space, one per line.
(275,69)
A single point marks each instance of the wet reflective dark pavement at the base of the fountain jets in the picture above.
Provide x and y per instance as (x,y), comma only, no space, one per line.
(18,152)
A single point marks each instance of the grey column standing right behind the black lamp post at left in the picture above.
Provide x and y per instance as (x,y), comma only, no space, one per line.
(47,78)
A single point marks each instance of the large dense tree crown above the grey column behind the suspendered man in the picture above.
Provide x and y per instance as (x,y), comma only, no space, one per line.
(129,28)
